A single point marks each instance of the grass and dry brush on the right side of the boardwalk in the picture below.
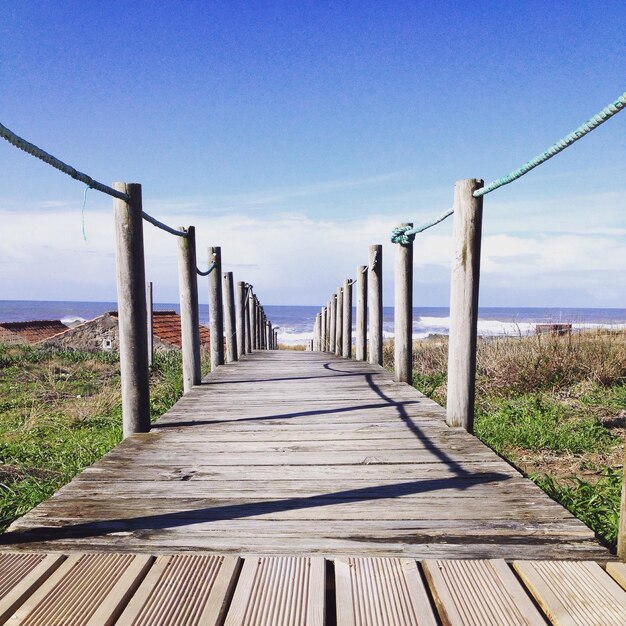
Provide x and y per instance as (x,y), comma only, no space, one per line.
(555,406)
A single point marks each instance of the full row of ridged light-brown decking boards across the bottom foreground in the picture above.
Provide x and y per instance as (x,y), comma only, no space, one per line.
(210,590)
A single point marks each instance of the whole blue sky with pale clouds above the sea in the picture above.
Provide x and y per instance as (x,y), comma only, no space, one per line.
(294,134)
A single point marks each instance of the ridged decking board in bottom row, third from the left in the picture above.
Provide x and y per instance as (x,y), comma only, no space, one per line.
(183,589)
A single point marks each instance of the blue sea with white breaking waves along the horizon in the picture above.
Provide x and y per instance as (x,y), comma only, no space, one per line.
(295,323)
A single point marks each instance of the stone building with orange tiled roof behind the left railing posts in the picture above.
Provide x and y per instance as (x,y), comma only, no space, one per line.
(102,333)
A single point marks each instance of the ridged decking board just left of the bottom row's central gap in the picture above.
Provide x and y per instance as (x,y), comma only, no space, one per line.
(281,591)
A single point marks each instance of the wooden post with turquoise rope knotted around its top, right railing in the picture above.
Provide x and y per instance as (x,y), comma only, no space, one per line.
(403,313)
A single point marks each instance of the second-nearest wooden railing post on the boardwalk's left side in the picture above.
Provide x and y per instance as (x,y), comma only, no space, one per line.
(189,315)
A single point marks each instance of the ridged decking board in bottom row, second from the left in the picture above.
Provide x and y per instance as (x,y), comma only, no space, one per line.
(89,589)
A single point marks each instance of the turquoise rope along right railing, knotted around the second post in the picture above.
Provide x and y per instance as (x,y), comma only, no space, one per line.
(406,234)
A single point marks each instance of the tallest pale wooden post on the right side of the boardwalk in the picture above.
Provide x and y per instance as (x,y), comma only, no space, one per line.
(468,213)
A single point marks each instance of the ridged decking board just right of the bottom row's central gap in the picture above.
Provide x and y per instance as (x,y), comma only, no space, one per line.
(381,591)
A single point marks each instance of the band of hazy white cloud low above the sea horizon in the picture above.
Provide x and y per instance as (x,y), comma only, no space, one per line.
(296,257)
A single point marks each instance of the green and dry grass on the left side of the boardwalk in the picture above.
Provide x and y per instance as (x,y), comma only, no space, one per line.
(60,411)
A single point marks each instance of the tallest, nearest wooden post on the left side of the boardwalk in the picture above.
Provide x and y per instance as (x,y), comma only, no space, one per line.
(132,315)
